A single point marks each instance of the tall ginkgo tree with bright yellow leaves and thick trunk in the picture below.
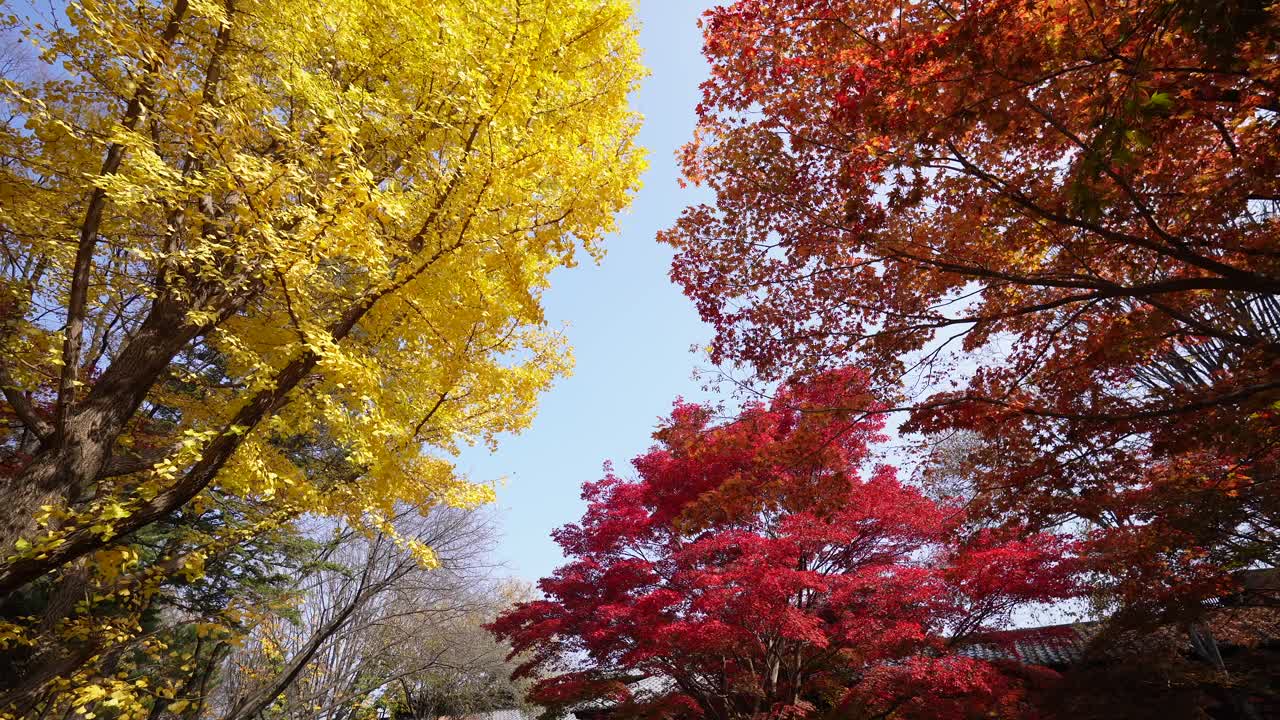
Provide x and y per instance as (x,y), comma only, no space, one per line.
(278,254)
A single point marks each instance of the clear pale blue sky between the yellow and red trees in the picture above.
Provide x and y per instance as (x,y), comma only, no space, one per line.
(630,327)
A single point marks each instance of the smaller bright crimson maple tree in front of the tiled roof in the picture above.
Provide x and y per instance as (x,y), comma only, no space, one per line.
(762,568)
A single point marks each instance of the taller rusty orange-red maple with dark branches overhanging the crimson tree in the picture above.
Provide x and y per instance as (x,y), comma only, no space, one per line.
(1059,217)
